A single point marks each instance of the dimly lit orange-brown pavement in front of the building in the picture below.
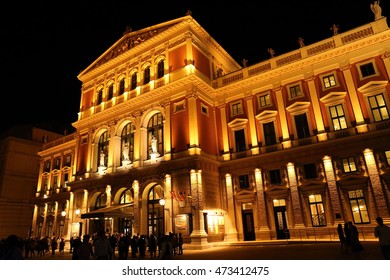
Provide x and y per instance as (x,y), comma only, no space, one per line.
(253,250)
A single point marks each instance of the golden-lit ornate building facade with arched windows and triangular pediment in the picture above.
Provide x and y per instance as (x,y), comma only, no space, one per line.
(174,136)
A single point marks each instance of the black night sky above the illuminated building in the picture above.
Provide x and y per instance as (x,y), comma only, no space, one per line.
(45,44)
